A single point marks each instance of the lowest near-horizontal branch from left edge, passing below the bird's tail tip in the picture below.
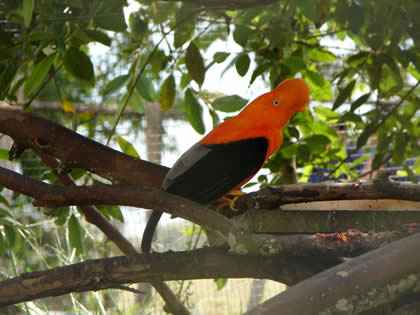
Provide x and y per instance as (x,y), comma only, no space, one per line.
(98,274)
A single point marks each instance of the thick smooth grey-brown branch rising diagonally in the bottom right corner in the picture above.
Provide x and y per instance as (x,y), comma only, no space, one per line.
(361,284)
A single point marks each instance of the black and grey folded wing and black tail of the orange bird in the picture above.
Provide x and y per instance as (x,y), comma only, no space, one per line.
(207,172)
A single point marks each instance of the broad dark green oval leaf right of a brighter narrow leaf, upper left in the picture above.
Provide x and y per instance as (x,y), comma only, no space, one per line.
(79,64)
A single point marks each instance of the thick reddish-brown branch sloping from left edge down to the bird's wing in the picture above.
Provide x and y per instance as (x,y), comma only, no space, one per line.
(29,130)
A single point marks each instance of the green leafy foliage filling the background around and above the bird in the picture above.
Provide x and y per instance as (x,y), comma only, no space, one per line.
(361,60)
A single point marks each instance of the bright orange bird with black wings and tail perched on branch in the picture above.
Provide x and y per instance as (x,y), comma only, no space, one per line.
(233,152)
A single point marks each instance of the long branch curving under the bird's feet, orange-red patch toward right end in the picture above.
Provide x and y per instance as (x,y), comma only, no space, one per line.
(240,241)
